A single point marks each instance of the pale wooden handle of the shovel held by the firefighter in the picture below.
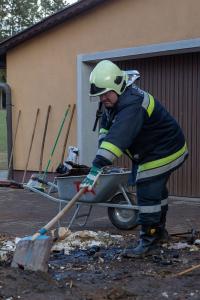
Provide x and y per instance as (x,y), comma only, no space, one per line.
(67,207)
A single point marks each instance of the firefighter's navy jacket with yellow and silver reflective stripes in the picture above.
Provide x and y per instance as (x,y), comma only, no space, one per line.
(141,127)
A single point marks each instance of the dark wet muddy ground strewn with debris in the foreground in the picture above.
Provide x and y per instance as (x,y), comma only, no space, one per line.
(104,273)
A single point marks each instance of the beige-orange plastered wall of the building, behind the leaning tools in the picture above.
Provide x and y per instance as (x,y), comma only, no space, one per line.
(42,71)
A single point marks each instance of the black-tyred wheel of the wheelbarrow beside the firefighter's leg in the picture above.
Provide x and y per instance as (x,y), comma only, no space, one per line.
(124,219)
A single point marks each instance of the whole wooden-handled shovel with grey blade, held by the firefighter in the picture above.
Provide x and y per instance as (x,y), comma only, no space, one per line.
(32,253)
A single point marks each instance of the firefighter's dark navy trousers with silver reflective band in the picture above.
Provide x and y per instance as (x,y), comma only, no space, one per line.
(152,197)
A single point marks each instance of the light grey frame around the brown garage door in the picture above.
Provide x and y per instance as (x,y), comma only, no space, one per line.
(86,139)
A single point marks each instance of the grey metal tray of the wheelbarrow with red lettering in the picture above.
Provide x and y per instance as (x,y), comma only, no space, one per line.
(106,186)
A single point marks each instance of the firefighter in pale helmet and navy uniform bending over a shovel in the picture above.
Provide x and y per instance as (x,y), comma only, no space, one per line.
(136,123)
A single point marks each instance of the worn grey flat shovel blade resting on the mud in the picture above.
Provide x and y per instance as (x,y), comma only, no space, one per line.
(32,254)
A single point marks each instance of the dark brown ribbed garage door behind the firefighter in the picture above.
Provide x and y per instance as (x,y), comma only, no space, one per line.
(175,81)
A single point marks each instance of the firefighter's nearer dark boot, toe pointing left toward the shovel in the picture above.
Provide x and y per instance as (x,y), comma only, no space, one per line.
(149,240)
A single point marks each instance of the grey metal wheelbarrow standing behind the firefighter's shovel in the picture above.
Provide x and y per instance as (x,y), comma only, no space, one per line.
(110,191)
